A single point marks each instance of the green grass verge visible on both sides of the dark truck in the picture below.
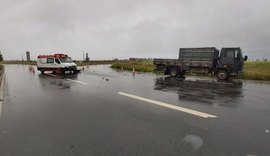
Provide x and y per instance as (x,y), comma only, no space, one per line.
(253,70)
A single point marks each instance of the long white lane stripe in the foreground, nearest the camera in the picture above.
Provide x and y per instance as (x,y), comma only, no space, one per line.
(182,109)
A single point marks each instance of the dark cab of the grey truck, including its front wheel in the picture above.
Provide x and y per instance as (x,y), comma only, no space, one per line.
(230,62)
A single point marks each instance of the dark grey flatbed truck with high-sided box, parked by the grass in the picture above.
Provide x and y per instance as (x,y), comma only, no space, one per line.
(205,60)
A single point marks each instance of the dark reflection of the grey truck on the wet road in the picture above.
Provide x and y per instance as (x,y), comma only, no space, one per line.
(202,91)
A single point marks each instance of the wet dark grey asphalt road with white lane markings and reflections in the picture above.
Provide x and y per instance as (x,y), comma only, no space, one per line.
(102,111)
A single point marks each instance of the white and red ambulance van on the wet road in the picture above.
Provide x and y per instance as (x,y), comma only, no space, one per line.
(56,63)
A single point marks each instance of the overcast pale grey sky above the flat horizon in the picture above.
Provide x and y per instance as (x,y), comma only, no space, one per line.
(108,29)
